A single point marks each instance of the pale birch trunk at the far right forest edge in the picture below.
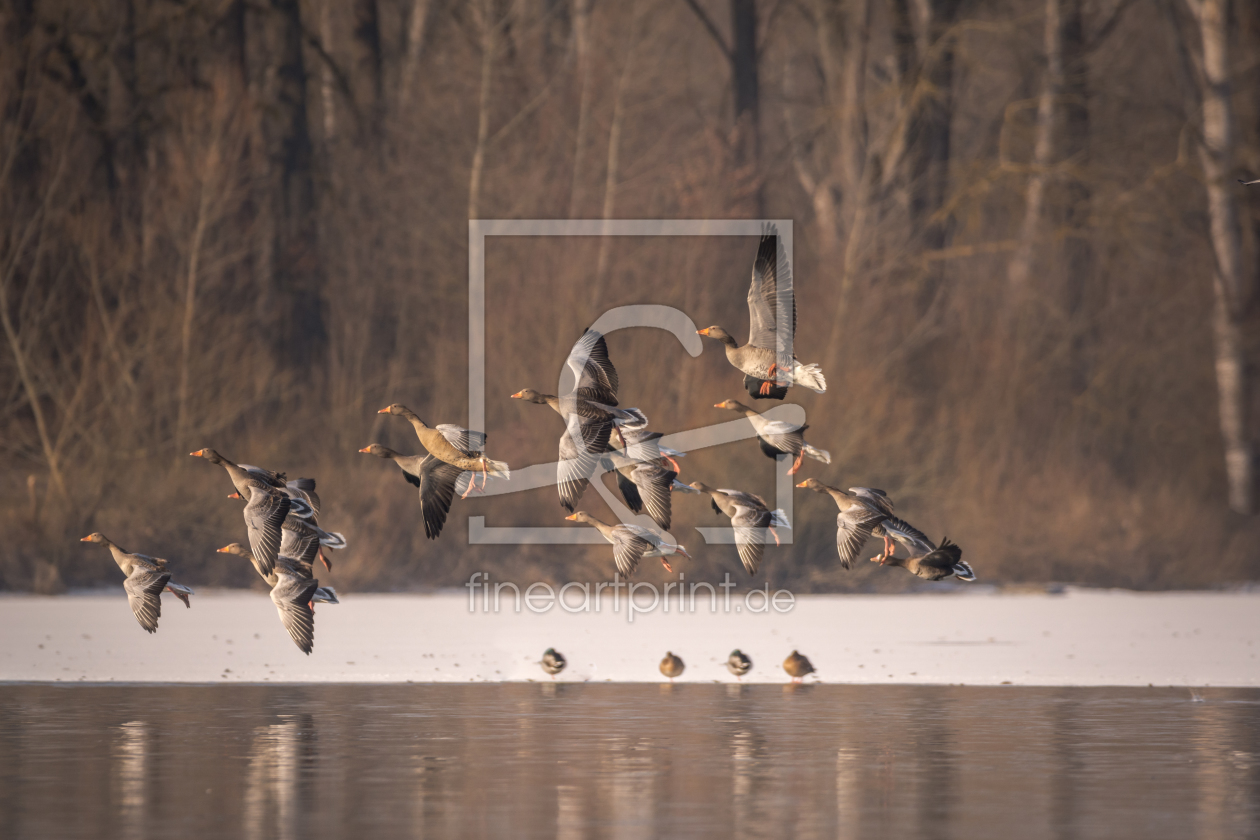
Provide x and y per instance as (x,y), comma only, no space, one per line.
(1232,292)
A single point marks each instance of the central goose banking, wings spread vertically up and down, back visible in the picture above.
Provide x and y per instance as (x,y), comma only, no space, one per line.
(590,414)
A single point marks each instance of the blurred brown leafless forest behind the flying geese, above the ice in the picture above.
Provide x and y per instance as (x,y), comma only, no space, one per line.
(1022,259)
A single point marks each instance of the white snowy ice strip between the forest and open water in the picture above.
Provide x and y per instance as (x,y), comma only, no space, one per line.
(1082,638)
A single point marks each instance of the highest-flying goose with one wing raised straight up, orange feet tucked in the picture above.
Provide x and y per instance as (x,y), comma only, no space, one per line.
(758,358)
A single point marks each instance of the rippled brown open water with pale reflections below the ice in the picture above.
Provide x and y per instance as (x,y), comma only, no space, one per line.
(623,761)
